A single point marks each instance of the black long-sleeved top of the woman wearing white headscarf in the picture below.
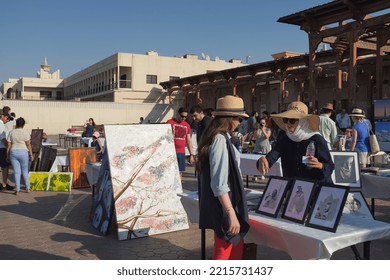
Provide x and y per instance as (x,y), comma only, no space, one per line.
(291,154)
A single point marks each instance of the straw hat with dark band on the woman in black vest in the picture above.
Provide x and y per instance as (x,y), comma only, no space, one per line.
(230,106)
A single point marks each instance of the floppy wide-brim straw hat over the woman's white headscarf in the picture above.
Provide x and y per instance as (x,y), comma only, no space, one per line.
(297,110)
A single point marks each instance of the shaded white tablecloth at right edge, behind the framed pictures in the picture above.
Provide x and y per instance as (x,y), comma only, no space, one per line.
(375,186)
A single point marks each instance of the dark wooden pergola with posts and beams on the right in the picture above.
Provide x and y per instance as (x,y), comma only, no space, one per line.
(357,41)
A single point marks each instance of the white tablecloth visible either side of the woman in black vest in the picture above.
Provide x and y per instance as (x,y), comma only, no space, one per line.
(190,202)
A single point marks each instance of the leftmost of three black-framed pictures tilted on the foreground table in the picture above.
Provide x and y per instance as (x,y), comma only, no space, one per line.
(273,195)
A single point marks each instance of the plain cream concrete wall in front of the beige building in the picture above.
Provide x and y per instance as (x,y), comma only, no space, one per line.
(56,117)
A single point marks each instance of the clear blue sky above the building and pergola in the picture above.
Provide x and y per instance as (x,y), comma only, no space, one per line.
(75,34)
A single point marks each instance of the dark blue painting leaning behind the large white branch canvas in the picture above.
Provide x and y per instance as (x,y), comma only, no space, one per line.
(102,200)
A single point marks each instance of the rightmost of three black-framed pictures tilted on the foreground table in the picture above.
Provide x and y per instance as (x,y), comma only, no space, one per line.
(328,206)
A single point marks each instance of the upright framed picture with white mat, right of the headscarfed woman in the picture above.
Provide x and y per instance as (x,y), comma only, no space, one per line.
(346,169)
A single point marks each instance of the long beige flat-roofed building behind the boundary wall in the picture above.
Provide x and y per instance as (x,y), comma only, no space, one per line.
(122,78)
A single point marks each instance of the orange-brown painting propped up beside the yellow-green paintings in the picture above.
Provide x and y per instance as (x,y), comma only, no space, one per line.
(78,158)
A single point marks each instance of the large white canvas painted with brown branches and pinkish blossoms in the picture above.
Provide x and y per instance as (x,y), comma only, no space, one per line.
(145,180)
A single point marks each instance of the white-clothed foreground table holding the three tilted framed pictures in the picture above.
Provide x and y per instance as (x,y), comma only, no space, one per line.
(302,242)
